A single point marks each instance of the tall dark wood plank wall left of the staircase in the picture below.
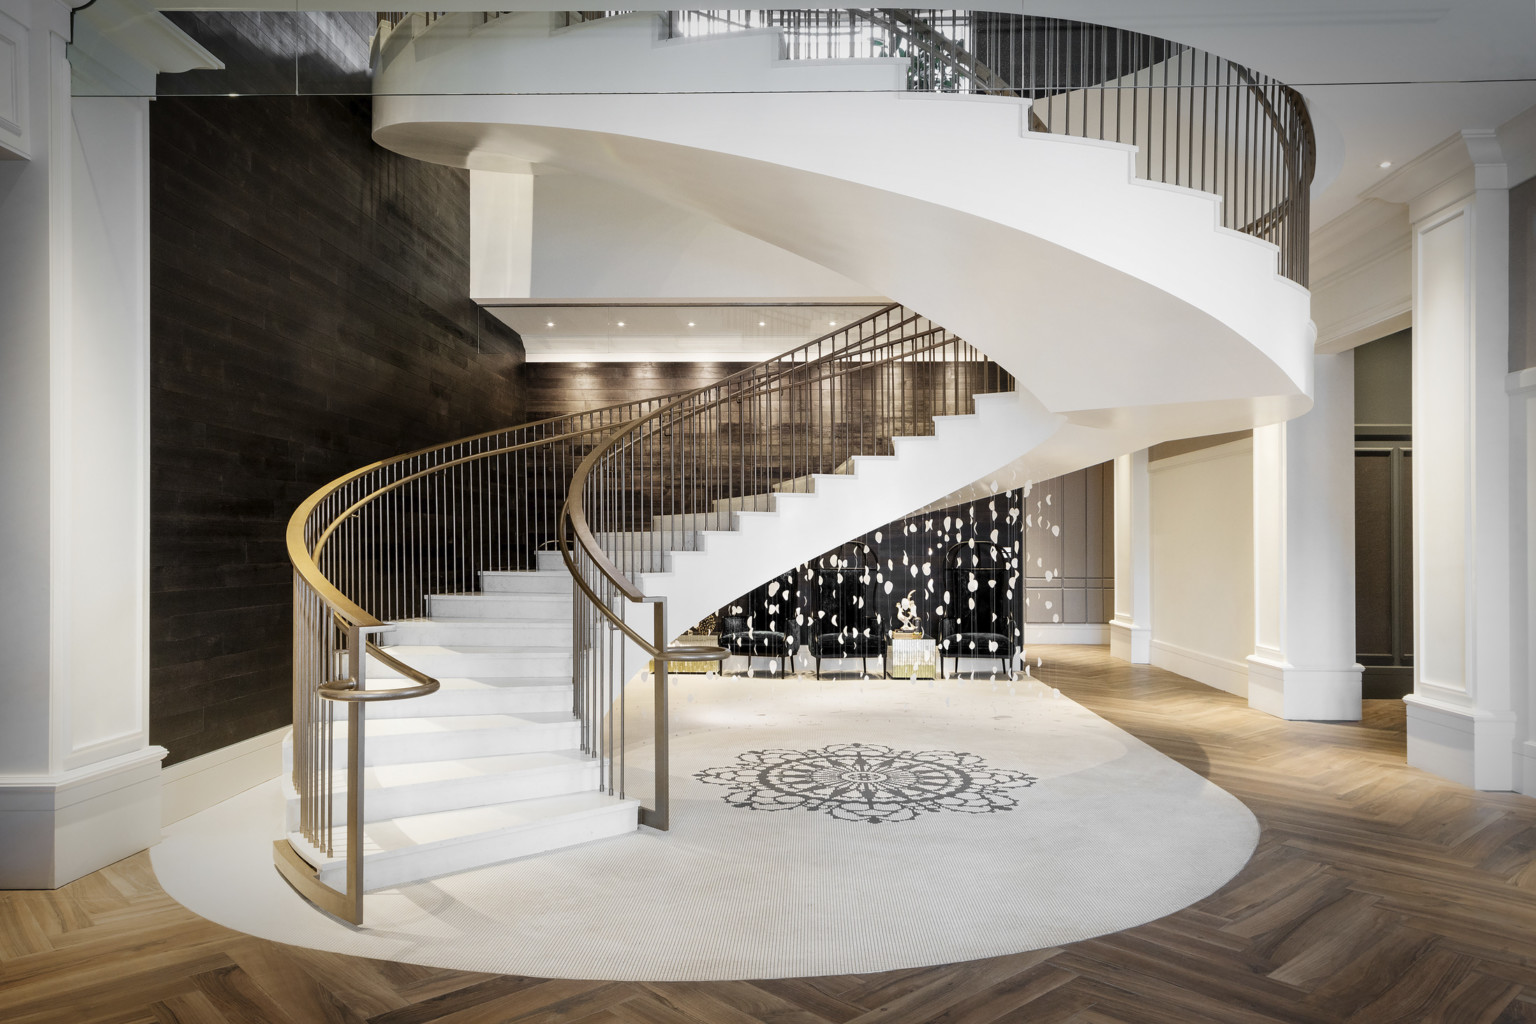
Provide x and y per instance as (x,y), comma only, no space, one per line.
(310,315)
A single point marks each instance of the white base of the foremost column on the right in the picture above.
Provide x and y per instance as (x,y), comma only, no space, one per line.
(1466,745)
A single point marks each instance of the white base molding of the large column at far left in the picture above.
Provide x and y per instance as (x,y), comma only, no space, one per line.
(58,828)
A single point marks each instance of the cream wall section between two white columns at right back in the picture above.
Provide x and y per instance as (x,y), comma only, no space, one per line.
(1203,564)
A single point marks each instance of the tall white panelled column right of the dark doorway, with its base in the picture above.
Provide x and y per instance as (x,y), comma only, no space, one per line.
(1462,713)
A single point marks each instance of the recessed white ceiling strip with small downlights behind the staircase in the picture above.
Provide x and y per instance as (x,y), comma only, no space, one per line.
(672,334)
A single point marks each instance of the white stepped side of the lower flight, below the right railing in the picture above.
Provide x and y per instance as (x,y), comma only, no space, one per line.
(804,526)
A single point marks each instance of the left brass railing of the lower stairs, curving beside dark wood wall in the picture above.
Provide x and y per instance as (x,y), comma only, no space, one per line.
(333,619)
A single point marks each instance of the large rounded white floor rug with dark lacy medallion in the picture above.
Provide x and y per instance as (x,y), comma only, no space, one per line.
(819,828)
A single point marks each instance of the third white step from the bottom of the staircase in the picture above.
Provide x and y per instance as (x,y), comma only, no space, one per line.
(411,741)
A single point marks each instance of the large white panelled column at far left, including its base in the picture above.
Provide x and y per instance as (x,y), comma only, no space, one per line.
(79,779)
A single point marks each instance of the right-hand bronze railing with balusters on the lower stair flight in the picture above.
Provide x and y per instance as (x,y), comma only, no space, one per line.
(687,466)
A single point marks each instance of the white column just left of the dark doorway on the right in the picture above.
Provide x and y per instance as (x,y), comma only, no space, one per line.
(1303,664)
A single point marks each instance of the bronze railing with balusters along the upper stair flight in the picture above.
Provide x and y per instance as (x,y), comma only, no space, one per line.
(1196,119)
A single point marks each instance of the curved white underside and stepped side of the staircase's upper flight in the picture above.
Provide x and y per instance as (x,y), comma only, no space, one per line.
(1096,289)
